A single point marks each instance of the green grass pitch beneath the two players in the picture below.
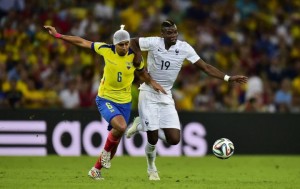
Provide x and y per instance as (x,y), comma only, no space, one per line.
(245,172)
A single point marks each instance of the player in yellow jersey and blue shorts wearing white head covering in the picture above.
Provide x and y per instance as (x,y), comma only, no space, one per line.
(114,93)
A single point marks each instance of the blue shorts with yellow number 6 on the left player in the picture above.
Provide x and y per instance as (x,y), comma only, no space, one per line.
(109,109)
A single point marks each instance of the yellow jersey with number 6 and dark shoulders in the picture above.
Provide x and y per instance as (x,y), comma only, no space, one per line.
(118,73)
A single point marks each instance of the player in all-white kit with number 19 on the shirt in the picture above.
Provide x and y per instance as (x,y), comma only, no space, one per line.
(157,111)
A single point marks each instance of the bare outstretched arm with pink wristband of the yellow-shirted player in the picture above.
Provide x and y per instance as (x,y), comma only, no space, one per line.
(71,39)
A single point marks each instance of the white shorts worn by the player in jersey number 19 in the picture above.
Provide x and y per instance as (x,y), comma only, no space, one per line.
(157,111)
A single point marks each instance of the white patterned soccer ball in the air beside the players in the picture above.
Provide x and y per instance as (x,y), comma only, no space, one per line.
(223,148)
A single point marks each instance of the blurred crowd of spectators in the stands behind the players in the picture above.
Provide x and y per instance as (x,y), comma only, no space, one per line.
(259,39)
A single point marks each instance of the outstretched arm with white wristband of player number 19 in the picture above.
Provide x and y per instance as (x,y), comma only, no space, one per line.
(214,72)
